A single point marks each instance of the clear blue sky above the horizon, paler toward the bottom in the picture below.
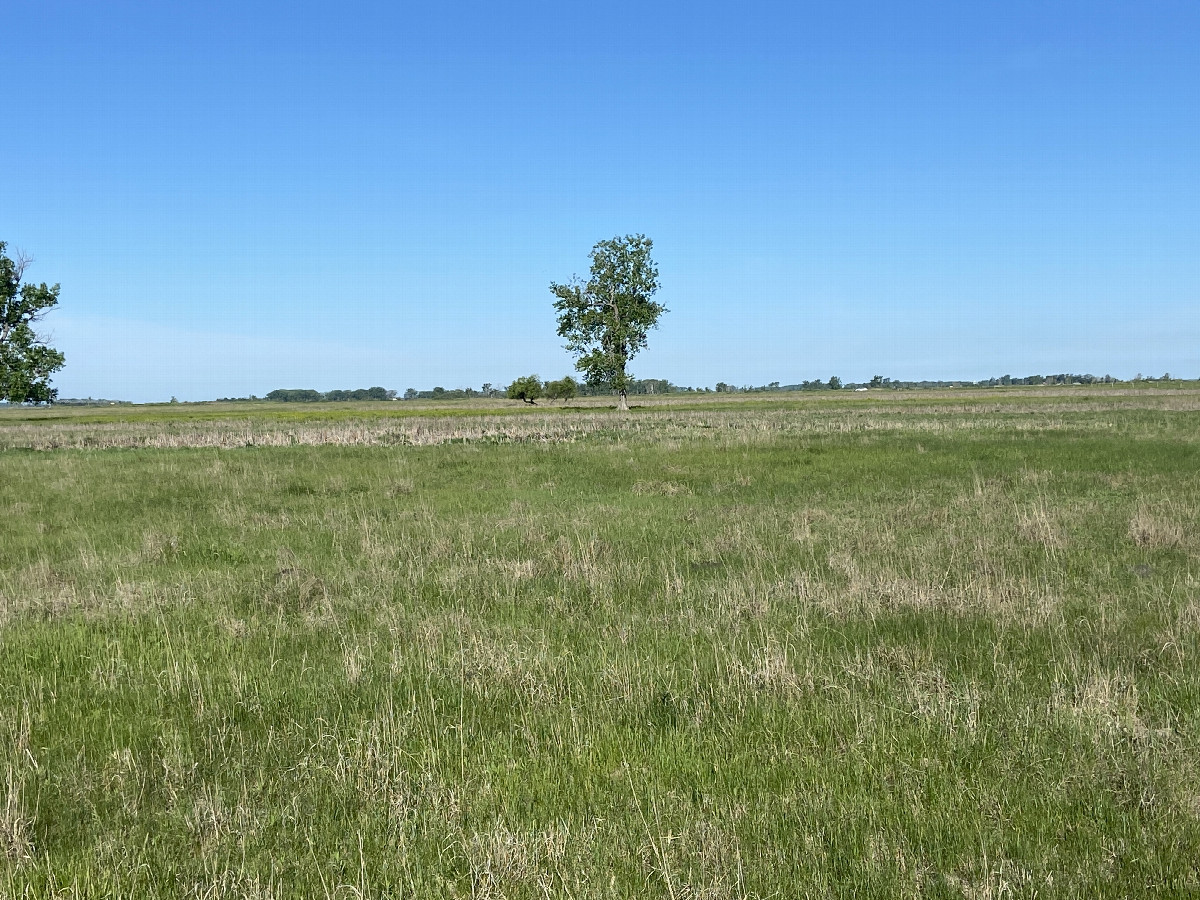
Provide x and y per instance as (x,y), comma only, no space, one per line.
(247,196)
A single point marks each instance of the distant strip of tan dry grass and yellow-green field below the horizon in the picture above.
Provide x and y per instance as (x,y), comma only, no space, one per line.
(427,423)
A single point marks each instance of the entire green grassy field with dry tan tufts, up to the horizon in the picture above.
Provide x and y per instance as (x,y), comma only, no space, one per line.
(928,645)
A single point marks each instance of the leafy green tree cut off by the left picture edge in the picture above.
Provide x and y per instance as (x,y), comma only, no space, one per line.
(26,362)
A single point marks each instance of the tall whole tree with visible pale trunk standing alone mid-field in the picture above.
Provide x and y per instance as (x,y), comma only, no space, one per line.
(605,321)
